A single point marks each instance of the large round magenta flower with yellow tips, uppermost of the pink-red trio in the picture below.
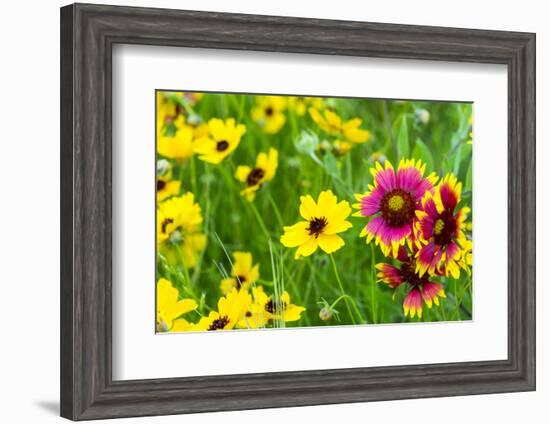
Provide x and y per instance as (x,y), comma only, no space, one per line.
(392,202)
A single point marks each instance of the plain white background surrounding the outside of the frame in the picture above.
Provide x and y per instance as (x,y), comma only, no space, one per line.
(29,210)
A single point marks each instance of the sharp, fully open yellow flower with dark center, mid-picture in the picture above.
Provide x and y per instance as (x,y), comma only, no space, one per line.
(323,221)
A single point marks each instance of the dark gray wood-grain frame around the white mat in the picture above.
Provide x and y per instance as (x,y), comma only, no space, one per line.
(88,33)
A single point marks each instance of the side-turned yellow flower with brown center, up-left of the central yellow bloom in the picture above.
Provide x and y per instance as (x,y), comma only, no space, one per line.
(254,178)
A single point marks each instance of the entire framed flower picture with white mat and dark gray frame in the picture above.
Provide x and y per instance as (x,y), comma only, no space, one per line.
(267,211)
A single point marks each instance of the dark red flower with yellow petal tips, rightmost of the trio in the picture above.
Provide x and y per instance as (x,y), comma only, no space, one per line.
(441,239)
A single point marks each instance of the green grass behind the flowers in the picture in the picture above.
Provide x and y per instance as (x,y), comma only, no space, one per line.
(231,223)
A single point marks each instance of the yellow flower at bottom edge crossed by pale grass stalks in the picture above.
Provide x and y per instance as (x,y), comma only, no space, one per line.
(266,308)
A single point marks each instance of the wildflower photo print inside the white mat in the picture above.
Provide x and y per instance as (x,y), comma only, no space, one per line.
(281,211)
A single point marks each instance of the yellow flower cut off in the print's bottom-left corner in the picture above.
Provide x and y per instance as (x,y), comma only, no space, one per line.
(169,308)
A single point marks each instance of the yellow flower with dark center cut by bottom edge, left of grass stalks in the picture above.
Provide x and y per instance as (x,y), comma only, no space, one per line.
(231,310)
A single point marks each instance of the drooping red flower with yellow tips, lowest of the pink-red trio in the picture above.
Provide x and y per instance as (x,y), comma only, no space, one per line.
(420,288)
